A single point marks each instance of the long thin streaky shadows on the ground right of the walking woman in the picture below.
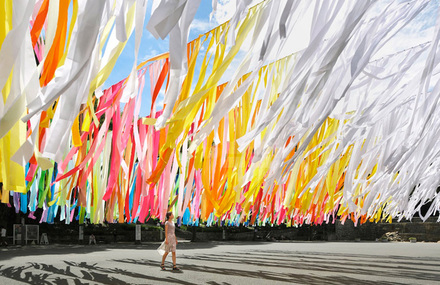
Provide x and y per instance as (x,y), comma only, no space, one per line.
(345,264)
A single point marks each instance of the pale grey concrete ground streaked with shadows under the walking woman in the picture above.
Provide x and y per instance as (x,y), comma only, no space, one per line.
(225,263)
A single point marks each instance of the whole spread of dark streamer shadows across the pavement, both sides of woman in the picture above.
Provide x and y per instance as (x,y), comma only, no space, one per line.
(266,265)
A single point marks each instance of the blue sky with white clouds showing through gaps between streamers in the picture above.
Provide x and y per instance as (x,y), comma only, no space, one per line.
(419,31)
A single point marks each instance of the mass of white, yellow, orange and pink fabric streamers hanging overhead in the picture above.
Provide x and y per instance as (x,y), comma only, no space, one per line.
(334,130)
